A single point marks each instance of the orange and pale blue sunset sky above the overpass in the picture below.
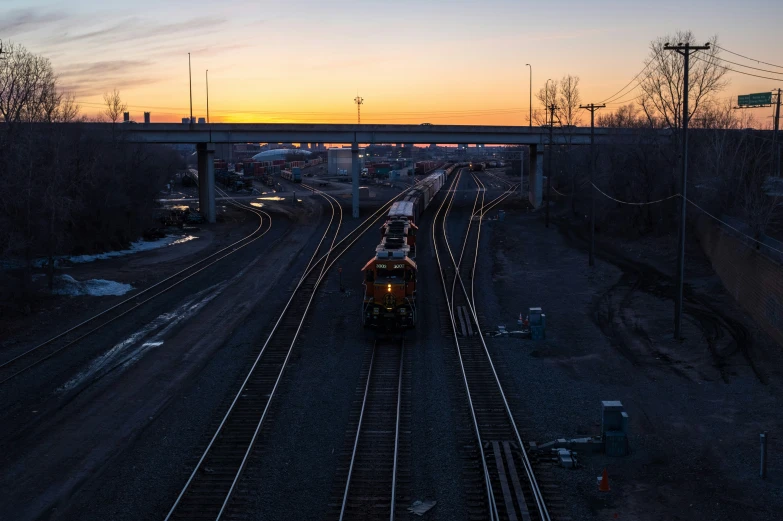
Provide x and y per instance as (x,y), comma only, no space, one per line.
(455,62)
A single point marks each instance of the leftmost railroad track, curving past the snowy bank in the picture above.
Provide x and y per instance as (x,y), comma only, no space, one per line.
(30,358)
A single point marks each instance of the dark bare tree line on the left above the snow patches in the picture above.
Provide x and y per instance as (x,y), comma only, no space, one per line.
(66,189)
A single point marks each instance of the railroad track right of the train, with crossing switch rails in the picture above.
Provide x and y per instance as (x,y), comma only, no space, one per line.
(510,490)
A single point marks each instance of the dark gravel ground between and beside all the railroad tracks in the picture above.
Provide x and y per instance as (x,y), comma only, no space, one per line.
(121,446)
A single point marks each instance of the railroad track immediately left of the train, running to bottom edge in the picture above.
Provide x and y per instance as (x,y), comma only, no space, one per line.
(210,491)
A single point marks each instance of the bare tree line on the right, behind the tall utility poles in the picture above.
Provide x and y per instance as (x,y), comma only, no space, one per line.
(729,163)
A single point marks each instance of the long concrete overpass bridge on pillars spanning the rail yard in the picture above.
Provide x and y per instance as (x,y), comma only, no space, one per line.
(205,136)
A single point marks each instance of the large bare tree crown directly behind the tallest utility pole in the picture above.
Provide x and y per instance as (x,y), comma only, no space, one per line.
(662,85)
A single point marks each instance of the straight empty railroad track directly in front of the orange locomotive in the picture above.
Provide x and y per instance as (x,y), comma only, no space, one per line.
(371,482)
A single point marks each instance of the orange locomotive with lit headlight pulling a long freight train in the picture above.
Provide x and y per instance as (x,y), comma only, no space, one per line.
(389,303)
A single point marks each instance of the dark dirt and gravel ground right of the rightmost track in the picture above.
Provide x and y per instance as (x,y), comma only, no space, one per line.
(696,407)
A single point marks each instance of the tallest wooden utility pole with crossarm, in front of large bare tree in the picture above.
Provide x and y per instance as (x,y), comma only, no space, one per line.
(685,50)
